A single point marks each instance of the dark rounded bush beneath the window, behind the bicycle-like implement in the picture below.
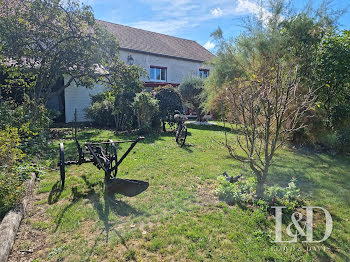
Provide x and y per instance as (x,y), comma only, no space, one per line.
(169,101)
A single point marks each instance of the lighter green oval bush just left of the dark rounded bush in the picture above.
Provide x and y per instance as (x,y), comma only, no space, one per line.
(146,110)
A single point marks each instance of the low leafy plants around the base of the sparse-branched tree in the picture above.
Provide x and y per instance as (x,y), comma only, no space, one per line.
(244,191)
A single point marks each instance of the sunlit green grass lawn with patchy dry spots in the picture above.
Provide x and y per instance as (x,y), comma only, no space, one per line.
(178,218)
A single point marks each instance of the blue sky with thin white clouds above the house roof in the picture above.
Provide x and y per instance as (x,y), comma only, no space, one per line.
(190,19)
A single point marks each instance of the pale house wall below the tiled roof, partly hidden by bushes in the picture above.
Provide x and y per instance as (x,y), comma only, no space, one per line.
(79,97)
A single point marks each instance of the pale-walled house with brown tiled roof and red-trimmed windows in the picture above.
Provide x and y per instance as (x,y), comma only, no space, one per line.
(168,60)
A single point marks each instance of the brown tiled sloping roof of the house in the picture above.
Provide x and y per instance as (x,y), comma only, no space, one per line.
(150,42)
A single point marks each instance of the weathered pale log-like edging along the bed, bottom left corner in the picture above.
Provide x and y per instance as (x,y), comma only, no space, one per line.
(11,222)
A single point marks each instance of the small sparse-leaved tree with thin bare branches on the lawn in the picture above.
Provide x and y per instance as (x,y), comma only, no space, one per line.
(268,109)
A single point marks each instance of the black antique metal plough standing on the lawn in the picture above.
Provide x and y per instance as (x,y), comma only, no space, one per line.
(104,156)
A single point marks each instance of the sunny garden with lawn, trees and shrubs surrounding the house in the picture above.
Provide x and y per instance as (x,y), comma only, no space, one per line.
(279,97)
